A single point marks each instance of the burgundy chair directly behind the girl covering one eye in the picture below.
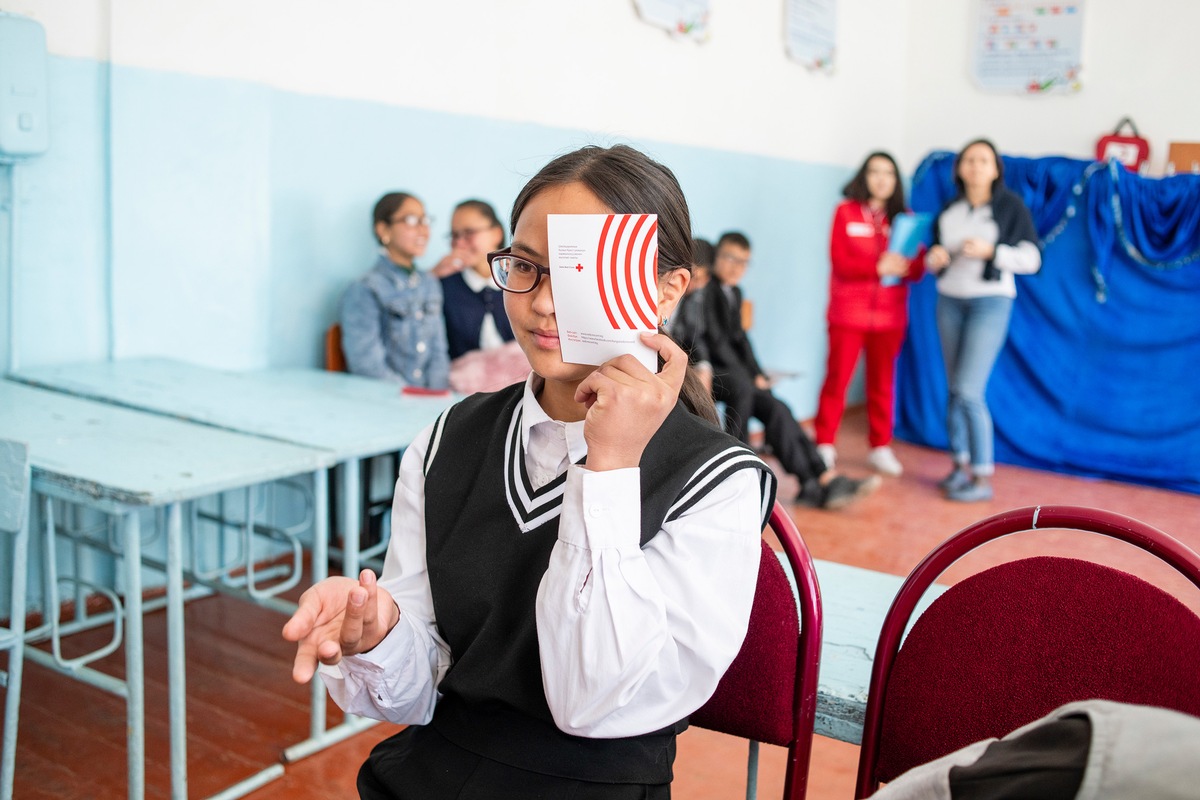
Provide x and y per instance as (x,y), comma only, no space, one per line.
(770,693)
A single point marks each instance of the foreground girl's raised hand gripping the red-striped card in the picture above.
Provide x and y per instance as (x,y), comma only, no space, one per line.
(628,404)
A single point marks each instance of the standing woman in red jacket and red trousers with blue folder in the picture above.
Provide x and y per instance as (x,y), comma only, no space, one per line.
(868,309)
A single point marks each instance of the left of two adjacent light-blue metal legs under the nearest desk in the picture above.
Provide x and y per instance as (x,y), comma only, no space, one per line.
(135,666)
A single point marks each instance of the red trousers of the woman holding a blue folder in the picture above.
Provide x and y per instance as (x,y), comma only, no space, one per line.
(845,345)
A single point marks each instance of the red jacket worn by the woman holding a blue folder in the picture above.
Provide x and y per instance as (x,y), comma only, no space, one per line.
(857,299)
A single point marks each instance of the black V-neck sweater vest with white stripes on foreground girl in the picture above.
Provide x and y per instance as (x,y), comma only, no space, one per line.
(489,538)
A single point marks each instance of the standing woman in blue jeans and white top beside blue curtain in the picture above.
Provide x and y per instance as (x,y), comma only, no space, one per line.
(982,239)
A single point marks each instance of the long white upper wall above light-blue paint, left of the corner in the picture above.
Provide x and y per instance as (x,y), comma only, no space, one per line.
(580,64)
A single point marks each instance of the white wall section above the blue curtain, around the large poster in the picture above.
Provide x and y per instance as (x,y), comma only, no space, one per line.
(1139,61)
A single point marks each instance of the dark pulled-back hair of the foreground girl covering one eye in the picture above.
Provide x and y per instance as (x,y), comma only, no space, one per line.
(629,182)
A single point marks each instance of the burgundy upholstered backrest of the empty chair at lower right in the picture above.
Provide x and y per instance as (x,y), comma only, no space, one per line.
(1012,643)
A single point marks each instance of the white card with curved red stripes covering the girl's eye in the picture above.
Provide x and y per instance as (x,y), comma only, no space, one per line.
(604,270)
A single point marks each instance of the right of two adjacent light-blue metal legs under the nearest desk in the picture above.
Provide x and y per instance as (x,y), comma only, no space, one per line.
(177,673)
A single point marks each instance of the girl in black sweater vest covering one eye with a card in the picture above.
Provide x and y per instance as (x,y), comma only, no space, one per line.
(573,560)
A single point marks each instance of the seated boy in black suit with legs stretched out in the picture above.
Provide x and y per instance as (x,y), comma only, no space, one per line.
(743,387)
